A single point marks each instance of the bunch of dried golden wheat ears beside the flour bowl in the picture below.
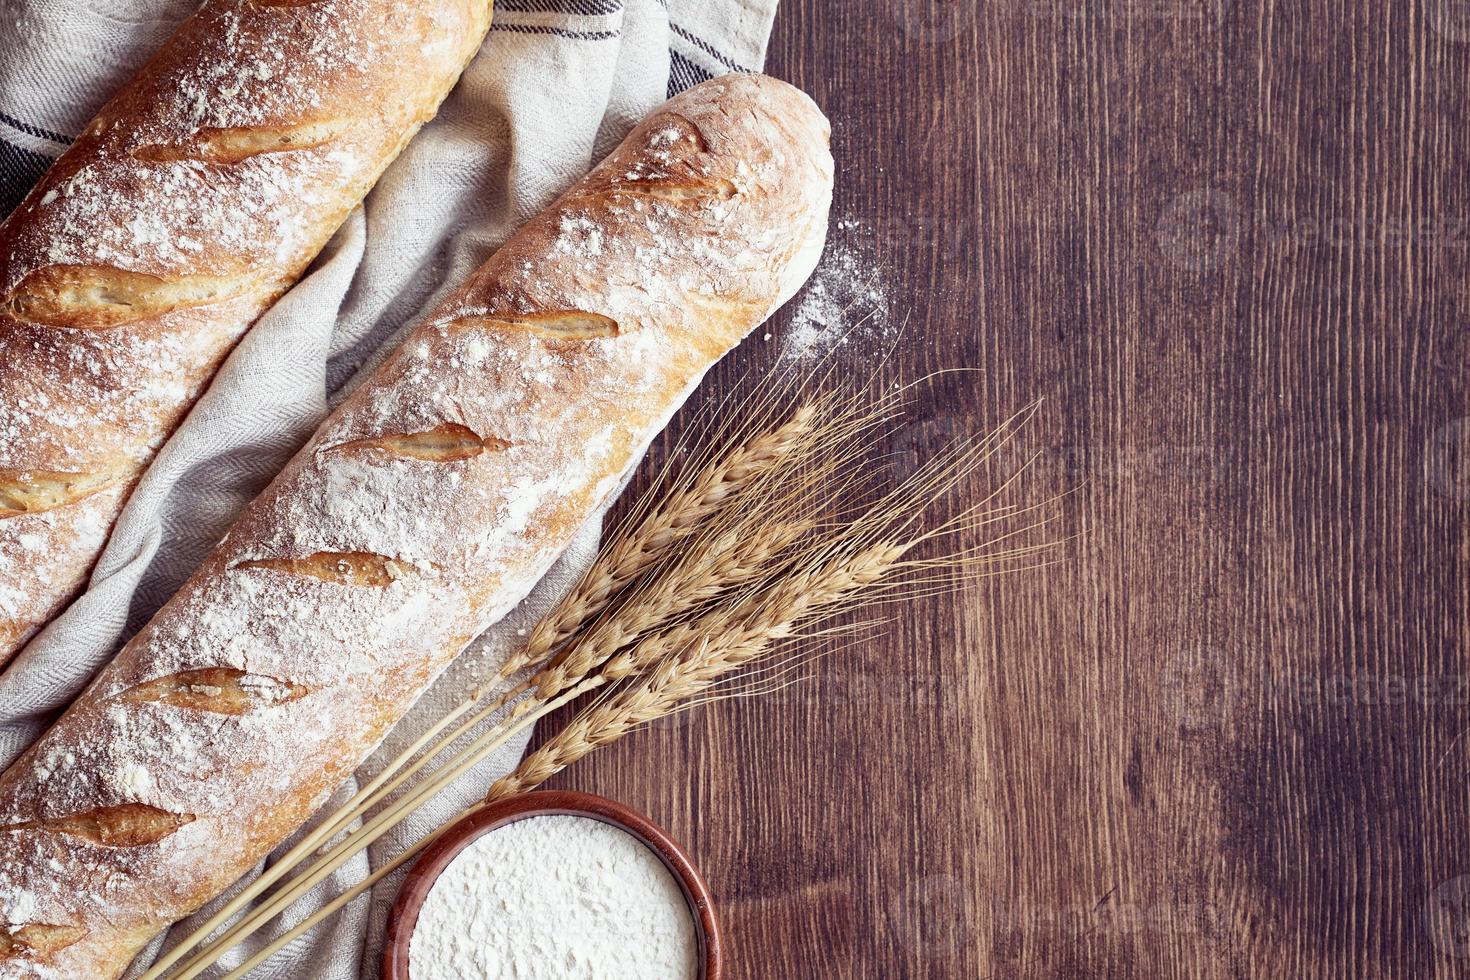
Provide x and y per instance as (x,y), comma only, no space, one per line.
(731,568)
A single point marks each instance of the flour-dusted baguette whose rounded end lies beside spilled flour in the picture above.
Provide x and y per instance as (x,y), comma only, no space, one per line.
(418,515)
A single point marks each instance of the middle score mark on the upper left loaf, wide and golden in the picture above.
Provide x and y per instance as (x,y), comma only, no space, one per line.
(104,298)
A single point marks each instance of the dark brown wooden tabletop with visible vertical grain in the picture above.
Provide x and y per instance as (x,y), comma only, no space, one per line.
(1227,242)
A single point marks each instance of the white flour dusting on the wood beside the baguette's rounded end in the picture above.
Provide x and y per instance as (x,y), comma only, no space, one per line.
(846,305)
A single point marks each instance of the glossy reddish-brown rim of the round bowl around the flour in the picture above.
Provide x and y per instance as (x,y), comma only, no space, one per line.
(427,871)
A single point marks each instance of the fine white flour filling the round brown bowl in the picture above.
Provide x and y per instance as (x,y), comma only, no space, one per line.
(555,898)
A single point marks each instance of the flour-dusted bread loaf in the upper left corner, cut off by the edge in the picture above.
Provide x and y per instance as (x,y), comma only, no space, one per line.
(190,203)
